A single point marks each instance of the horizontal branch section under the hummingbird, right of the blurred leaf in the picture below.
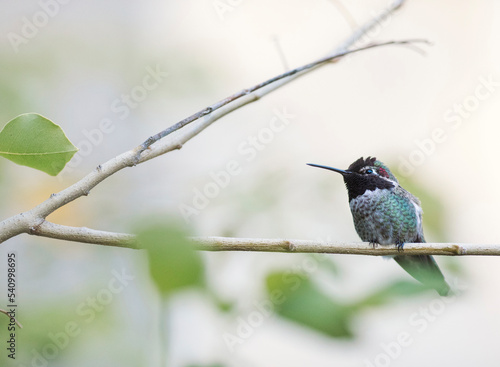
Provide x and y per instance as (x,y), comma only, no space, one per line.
(360,248)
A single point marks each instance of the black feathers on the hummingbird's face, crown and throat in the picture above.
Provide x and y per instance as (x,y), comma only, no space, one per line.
(358,181)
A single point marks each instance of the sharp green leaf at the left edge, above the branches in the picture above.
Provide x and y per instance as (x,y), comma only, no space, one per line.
(34,141)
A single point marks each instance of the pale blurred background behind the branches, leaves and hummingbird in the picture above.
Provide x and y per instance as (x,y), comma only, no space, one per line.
(83,57)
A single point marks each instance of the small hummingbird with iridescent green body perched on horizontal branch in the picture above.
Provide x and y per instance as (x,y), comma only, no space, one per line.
(384,213)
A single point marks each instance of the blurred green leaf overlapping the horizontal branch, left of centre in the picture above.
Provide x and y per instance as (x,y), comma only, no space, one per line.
(173,263)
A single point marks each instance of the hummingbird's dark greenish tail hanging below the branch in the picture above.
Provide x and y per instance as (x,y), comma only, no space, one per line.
(424,269)
